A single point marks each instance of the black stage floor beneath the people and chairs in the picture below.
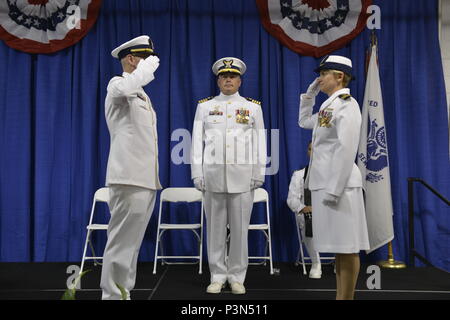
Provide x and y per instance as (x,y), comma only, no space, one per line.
(47,281)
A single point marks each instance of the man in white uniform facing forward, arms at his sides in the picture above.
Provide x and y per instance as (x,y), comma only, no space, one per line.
(228,162)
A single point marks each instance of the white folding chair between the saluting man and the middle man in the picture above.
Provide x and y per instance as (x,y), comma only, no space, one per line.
(188,195)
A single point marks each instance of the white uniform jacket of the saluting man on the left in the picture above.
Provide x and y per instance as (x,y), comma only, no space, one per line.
(133,155)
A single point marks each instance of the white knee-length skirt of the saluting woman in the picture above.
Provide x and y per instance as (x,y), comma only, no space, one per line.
(342,228)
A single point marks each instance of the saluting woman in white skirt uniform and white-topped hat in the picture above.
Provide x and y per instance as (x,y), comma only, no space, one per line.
(339,223)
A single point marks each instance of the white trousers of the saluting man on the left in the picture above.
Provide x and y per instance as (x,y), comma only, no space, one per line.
(131,208)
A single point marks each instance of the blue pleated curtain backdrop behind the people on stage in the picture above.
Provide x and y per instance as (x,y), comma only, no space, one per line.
(54,141)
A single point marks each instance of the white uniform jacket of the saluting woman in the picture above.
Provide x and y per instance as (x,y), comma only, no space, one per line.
(336,128)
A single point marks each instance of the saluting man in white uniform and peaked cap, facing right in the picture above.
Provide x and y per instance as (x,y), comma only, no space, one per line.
(132,172)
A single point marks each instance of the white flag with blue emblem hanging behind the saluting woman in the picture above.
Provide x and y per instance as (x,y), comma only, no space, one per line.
(373,160)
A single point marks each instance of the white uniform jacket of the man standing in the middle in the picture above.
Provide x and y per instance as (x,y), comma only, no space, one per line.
(228,143)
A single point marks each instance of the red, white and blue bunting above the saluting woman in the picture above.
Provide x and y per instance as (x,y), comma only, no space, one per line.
(314,27)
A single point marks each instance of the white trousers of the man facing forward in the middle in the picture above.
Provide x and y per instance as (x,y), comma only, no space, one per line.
(234,209)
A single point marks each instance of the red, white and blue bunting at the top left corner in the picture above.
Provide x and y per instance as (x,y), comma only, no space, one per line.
(46,26)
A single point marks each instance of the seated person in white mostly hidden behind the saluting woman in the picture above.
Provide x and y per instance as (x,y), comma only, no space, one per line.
(300,205)
